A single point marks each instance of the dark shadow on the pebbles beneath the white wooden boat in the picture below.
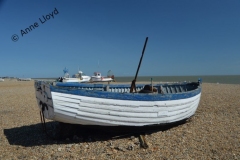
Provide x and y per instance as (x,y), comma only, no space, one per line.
(33,135)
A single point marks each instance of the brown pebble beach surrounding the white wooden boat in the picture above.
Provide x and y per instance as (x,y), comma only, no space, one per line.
(212,133)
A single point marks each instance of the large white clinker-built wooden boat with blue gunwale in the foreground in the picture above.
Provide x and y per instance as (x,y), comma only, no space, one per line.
(114,105)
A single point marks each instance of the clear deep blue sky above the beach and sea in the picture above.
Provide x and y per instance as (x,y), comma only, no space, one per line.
(185,37)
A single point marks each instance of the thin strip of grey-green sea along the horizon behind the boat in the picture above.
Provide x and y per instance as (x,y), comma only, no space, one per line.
(219,79)
